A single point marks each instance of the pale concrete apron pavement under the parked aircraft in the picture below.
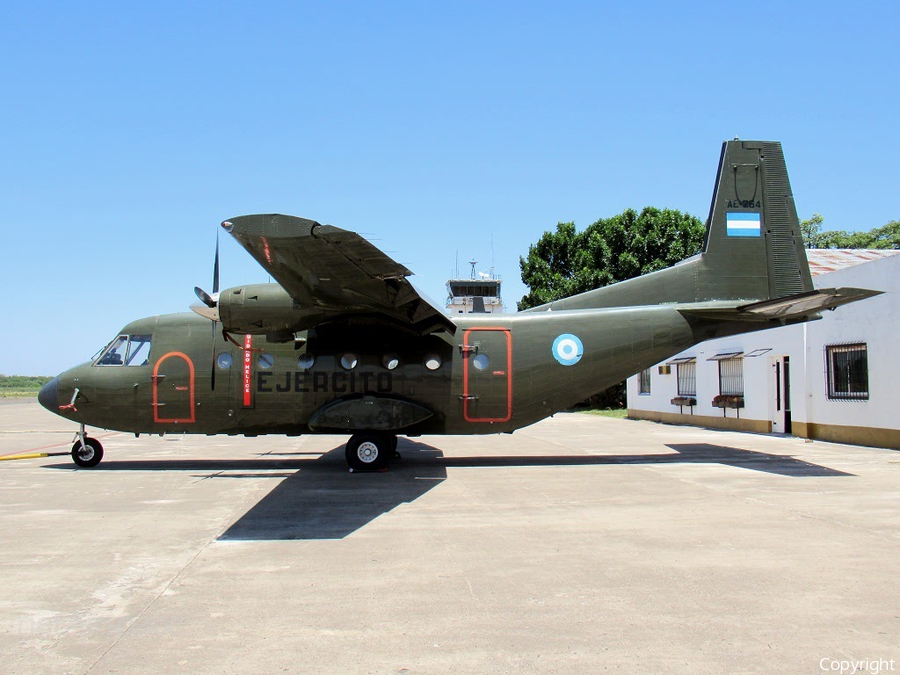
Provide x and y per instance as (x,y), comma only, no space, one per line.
(578,545)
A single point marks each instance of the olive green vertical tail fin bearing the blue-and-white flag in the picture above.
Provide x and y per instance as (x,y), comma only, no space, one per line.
(753,251)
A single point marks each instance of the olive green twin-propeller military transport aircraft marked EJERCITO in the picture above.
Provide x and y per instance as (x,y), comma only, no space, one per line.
(344,344)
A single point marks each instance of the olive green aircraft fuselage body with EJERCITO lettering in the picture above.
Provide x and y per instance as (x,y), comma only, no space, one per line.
(497,373)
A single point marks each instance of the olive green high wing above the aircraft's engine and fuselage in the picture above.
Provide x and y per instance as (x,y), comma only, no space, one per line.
(335,270)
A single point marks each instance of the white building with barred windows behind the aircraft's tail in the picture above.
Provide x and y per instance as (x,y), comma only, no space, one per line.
(831,379)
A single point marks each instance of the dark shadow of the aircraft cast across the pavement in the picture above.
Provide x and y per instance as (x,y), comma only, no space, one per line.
(320,499)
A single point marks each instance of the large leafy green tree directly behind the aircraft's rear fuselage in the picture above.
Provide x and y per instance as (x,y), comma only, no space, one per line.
(567,262)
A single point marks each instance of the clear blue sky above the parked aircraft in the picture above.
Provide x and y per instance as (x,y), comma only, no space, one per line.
(129,131)
